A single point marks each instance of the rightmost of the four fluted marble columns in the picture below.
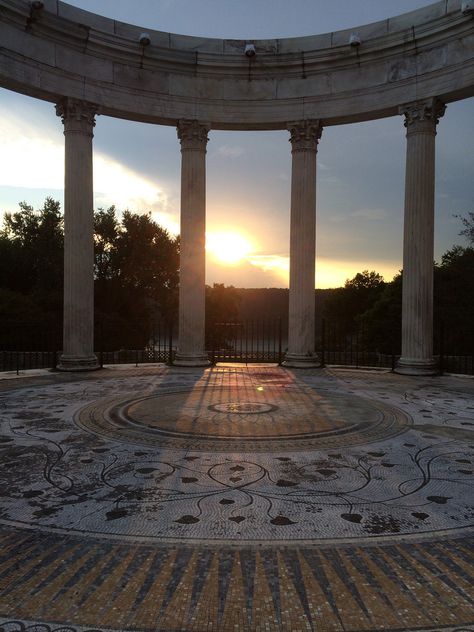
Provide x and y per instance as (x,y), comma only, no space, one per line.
(421,119)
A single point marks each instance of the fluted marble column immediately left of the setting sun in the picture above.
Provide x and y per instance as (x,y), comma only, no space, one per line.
(191,345)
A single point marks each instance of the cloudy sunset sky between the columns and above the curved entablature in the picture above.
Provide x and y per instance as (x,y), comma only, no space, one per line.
(360,180)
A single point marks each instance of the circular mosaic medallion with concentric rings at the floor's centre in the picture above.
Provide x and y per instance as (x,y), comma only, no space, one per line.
(227,419)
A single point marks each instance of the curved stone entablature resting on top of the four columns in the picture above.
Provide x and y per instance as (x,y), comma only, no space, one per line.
(61,51)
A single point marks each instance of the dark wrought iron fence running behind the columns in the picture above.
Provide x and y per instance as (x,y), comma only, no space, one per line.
(38,345)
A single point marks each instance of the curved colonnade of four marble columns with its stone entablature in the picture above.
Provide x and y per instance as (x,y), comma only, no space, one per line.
(411,65)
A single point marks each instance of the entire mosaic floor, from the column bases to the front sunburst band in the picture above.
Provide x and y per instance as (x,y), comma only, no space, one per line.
(236,498)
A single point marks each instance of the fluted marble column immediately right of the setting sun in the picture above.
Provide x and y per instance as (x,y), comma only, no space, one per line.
(304,139)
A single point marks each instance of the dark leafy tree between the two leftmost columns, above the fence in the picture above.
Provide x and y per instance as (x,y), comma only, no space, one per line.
(137,274)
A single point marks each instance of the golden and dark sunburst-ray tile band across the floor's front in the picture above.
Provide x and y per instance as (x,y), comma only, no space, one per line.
(399,586)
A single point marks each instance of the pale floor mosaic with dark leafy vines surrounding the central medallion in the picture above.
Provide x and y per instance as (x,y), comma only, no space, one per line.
(56,476)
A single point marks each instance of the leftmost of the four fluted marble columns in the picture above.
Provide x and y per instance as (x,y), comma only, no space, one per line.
(78,326)
